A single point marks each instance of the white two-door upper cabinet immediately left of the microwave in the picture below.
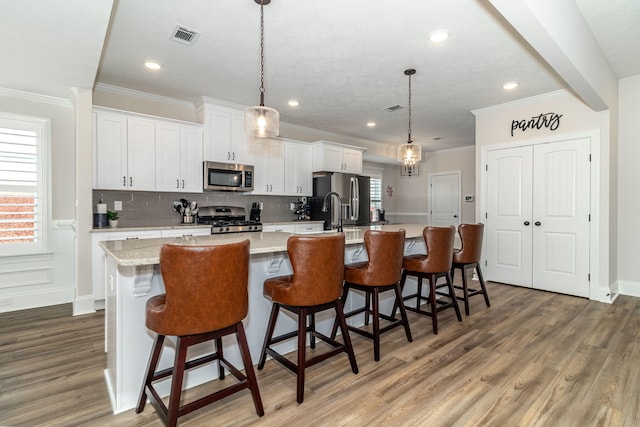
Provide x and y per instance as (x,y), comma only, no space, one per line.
(178,157)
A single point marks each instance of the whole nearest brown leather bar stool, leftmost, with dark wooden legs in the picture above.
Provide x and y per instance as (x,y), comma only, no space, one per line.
(206,298)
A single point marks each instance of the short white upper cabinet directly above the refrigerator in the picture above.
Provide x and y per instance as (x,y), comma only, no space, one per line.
(332,157)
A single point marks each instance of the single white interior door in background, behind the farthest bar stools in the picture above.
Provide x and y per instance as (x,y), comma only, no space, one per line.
(444,199)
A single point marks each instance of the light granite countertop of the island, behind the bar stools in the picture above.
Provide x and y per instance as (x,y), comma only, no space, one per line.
(147,251)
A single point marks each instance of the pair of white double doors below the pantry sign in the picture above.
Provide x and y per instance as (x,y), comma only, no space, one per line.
(537,217)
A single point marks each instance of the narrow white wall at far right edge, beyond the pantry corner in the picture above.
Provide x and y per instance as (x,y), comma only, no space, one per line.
(628,253)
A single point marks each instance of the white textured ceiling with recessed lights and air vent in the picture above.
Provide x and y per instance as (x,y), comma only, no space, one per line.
(343,60)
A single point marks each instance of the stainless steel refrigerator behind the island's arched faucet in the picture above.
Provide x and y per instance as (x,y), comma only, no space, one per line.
(354,195)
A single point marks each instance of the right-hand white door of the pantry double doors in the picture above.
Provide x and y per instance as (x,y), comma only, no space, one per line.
(561,193)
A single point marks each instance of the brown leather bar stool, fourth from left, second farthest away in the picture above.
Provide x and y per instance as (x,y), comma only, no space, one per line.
(436,264)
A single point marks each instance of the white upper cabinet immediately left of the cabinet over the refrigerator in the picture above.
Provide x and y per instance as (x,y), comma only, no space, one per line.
(297,173)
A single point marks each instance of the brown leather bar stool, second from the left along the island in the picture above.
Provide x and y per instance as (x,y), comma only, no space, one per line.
(314,286)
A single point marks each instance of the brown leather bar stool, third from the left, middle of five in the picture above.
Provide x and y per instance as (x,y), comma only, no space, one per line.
(379,274)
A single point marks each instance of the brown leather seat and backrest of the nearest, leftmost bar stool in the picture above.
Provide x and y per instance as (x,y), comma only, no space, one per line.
(206,288)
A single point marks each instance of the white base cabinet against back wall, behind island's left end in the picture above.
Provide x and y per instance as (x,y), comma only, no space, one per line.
(97,256)
